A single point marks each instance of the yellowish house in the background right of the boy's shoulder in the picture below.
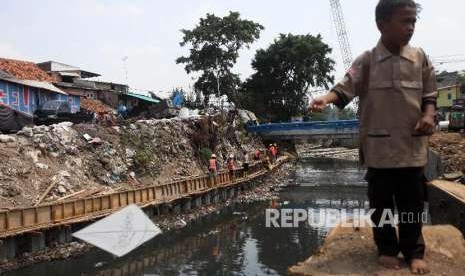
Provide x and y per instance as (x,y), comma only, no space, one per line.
(450,88)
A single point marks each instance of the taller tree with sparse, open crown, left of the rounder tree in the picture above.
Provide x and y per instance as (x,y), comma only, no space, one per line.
(215,43)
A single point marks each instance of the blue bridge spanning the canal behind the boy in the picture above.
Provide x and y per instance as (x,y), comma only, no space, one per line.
(342,129)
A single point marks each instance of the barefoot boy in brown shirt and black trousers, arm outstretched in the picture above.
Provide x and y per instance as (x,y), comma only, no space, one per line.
(396,87)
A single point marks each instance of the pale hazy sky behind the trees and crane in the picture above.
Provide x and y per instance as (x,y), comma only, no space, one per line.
(96,35)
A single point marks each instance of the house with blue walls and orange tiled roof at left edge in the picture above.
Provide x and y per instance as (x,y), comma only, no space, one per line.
(24,87)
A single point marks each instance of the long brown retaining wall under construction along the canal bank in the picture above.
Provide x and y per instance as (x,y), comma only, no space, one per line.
(24,229)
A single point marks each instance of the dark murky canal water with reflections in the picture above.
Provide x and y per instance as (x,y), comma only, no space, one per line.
(235,240)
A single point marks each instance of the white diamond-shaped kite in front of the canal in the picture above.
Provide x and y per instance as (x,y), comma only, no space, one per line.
(121,232)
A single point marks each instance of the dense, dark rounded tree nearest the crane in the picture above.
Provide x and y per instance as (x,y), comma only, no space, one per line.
(284,73)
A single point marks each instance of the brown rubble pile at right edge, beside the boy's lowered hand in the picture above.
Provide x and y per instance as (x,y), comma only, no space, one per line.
(451,148)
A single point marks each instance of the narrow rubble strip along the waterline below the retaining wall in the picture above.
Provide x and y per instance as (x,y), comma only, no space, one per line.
(267,188)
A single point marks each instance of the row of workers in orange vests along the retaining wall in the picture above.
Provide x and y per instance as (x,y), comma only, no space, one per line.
(232,163)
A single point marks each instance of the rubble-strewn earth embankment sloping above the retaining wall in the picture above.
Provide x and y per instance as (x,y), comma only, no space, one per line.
(80,159)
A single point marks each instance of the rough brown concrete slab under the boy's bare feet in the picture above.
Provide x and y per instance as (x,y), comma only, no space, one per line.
(351,251)
